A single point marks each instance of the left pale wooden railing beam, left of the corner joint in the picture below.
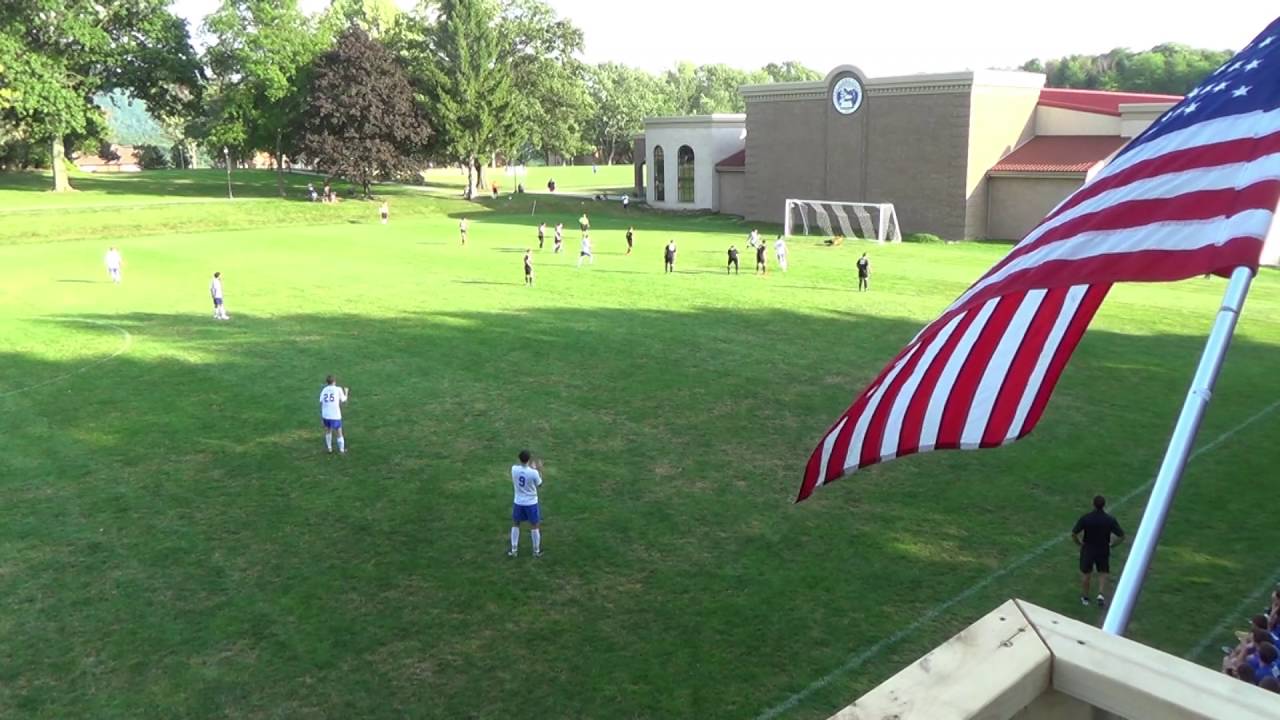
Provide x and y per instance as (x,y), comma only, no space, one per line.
(991,669)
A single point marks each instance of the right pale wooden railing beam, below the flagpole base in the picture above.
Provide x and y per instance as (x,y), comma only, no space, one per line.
(1133,681)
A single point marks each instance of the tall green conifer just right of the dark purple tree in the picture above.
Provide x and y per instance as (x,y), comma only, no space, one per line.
(459,63)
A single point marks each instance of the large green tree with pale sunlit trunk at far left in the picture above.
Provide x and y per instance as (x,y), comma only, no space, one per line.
(60,54)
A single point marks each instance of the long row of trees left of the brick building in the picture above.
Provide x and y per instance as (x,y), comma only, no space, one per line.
(360,90)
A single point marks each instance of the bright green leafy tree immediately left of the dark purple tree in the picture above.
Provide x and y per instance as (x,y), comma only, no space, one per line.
(259,56)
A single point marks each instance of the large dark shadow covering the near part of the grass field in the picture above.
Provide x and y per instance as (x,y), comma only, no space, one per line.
(172,512)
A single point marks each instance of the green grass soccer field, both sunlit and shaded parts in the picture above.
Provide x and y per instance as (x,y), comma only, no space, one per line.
(176,544)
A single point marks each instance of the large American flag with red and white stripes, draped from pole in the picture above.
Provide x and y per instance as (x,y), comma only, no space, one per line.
(1194,194)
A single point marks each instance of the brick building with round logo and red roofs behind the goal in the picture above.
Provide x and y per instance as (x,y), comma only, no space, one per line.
(961,156)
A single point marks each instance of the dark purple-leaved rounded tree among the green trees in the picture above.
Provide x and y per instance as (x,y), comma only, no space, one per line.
(360,120)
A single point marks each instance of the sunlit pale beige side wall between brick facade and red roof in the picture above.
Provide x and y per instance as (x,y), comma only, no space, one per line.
(1002,119)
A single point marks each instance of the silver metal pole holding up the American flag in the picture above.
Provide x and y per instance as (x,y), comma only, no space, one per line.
(1176,457)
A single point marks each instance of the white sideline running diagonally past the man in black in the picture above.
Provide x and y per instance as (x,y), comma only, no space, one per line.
(860,659)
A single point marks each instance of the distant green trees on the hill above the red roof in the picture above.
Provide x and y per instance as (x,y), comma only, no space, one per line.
(1169,69)
